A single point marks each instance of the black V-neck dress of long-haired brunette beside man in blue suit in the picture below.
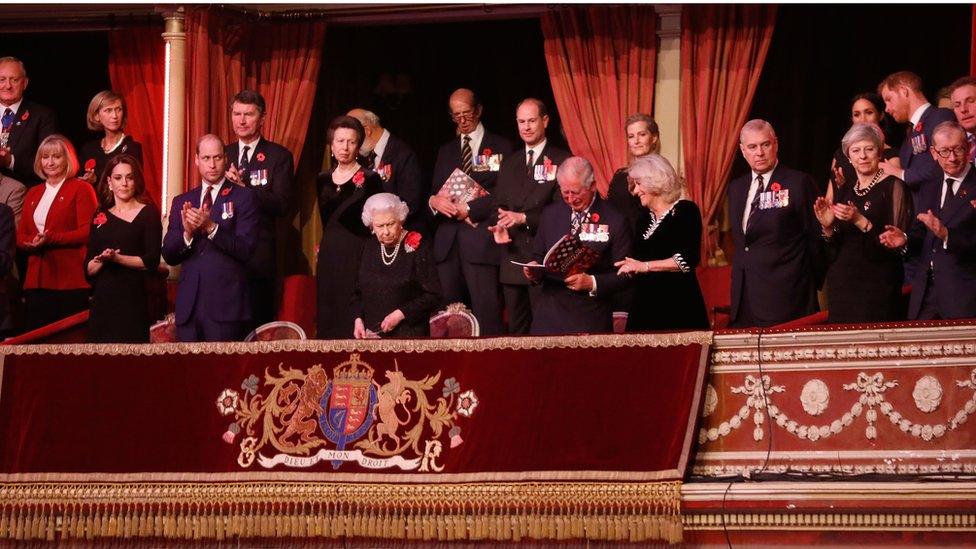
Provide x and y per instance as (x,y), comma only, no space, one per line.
(120,296)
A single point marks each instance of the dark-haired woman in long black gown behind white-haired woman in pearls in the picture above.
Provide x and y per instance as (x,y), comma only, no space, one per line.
(342,193)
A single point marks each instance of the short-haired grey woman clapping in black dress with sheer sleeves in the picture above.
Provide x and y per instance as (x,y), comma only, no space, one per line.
(864,277)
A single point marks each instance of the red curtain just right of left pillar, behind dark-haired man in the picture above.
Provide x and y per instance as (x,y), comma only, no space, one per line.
(225,55)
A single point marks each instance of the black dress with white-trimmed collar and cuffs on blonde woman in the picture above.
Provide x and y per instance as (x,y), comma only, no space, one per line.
(669,300)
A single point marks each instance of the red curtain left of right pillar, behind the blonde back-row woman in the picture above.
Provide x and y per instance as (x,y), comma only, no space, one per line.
(601,64)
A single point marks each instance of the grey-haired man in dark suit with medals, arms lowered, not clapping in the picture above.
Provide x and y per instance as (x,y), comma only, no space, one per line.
(777,265)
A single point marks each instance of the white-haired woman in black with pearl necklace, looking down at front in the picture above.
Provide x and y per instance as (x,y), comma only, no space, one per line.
(397,286)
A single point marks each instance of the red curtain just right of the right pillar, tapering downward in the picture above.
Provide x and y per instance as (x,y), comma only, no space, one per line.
(723,49)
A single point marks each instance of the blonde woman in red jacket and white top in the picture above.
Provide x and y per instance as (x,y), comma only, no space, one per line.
(53,231)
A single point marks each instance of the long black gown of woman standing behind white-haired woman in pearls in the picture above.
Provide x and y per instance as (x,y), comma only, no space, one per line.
(343,236)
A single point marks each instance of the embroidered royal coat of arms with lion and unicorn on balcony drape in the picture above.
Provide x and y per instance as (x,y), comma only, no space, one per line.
(300,418)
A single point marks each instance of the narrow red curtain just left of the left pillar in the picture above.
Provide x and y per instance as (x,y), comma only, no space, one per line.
(136,70)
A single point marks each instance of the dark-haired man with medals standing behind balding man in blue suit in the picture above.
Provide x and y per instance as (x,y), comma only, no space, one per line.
(267,168)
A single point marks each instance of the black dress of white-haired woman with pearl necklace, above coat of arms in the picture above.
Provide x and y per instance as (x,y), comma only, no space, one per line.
(408,283)
